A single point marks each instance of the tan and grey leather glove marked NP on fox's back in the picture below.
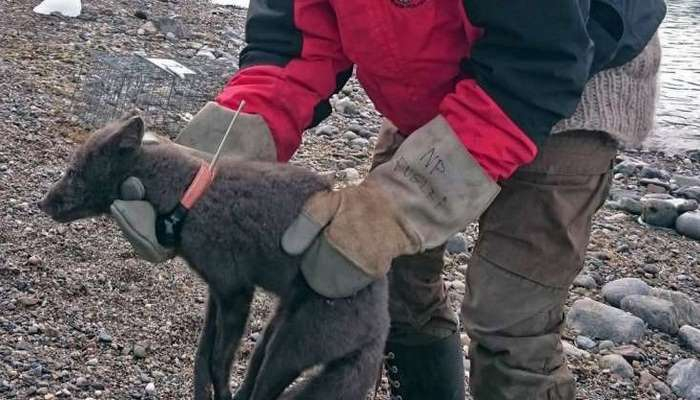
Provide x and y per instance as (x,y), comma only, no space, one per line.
(430,189)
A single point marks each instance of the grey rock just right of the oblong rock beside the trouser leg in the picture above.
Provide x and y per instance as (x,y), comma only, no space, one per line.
(656,312)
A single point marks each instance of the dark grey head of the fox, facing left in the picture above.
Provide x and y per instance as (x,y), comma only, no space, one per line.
(97,169)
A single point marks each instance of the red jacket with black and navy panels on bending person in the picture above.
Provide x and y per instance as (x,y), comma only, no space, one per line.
(501,72)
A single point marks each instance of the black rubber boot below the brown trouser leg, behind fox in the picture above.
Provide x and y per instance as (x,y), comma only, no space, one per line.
(429,372)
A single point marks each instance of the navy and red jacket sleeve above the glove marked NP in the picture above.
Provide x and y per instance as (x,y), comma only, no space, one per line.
(526,72)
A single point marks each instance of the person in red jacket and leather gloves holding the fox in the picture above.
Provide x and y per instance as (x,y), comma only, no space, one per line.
(509,113)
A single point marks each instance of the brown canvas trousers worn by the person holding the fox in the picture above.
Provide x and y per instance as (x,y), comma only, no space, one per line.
(531,246)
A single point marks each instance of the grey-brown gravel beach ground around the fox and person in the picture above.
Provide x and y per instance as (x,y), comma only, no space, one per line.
(81,317)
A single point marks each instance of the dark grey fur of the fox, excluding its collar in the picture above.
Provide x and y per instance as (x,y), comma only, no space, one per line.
(231,239)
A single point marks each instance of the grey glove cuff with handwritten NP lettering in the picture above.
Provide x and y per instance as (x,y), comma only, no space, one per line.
(436,183)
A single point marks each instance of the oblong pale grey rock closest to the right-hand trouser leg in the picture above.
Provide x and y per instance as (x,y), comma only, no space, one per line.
(600,321)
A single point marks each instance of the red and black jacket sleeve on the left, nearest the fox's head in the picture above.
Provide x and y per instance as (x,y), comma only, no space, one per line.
(292,64)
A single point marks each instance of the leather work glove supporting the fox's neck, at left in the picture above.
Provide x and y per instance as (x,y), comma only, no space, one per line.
(250,139)
